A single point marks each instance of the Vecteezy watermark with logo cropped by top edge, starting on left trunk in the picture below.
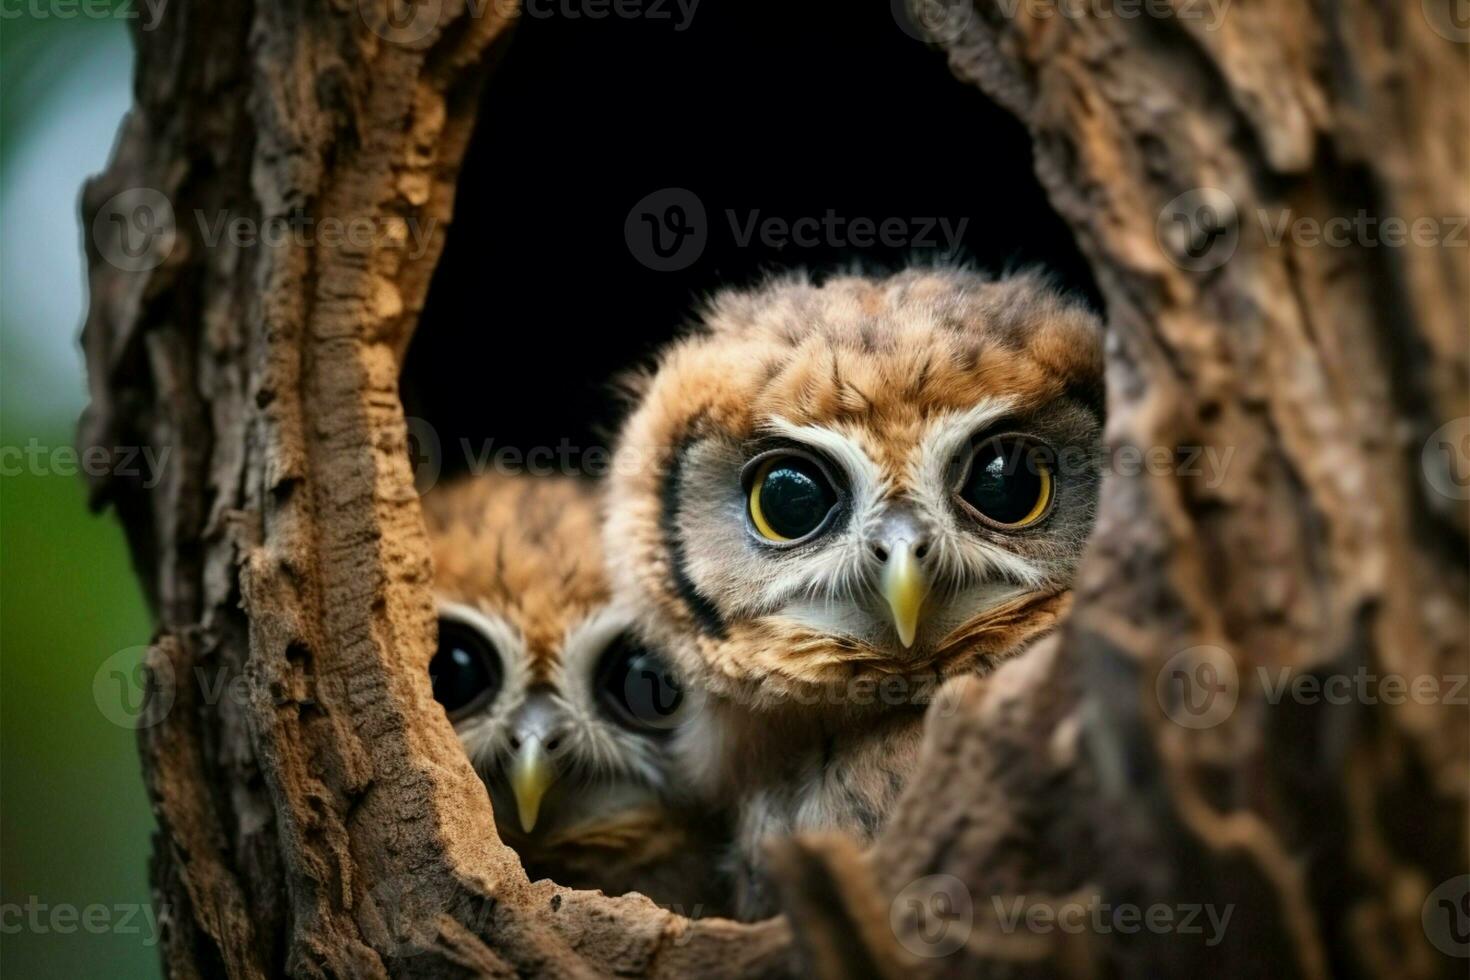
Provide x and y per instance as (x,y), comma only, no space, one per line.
(414,23)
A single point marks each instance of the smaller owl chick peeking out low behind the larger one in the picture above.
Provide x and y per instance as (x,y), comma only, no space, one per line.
(564,715)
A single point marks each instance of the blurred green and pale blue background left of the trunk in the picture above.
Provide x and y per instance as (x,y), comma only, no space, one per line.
(74,818)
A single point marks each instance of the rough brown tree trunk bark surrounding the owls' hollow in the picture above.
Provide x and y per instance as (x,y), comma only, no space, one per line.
(326,824)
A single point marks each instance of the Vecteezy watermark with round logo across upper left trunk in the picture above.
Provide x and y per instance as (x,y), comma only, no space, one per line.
(139,230)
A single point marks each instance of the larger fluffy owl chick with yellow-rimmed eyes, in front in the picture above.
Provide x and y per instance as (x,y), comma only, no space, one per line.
(833,497)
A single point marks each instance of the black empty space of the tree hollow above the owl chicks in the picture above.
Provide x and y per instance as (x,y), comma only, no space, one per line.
(551,283)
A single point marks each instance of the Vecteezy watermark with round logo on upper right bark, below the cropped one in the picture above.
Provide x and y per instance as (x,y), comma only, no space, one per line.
(1202,230)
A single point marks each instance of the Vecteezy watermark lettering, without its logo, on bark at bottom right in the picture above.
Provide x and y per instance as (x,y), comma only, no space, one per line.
(1093,915)
